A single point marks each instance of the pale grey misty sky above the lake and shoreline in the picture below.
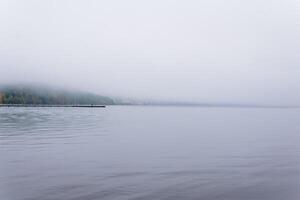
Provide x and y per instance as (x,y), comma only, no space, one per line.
(209,50)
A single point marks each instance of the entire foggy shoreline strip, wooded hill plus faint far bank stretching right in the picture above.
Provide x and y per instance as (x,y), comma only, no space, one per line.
(43,95)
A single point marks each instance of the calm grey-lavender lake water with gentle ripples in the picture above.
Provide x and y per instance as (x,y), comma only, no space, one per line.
(138,152)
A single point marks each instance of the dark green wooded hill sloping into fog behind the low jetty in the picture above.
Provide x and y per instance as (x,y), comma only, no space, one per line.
(45,95)
